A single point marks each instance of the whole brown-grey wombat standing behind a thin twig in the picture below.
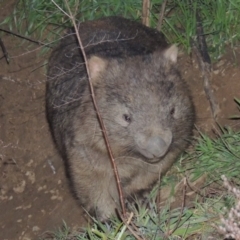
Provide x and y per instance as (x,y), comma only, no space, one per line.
(145,105)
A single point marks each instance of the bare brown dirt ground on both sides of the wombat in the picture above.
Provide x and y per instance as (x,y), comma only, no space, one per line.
(34,192)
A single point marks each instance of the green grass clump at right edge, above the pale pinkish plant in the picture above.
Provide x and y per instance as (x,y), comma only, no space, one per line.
(215,157)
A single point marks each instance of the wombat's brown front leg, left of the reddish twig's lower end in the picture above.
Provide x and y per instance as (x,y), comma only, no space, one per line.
(95,185)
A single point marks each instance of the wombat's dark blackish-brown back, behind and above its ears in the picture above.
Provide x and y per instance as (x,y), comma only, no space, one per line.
(115,37)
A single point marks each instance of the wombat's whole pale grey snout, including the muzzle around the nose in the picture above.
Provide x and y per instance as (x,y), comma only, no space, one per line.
(154,146)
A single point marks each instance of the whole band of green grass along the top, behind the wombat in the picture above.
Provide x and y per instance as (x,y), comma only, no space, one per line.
(220,19)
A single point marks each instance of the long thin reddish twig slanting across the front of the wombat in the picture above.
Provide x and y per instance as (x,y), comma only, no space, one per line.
(98,113)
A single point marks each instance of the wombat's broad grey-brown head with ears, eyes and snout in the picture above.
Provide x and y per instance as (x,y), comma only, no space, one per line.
(144,103)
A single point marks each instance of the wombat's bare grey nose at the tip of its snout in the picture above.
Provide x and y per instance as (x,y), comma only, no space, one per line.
(157,146)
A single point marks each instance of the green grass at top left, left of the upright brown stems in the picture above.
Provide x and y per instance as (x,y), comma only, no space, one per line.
(38,17)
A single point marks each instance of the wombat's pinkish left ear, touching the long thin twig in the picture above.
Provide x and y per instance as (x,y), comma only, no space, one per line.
(96,66)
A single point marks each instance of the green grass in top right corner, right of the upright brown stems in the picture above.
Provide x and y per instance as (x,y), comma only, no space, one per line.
(220,21)
